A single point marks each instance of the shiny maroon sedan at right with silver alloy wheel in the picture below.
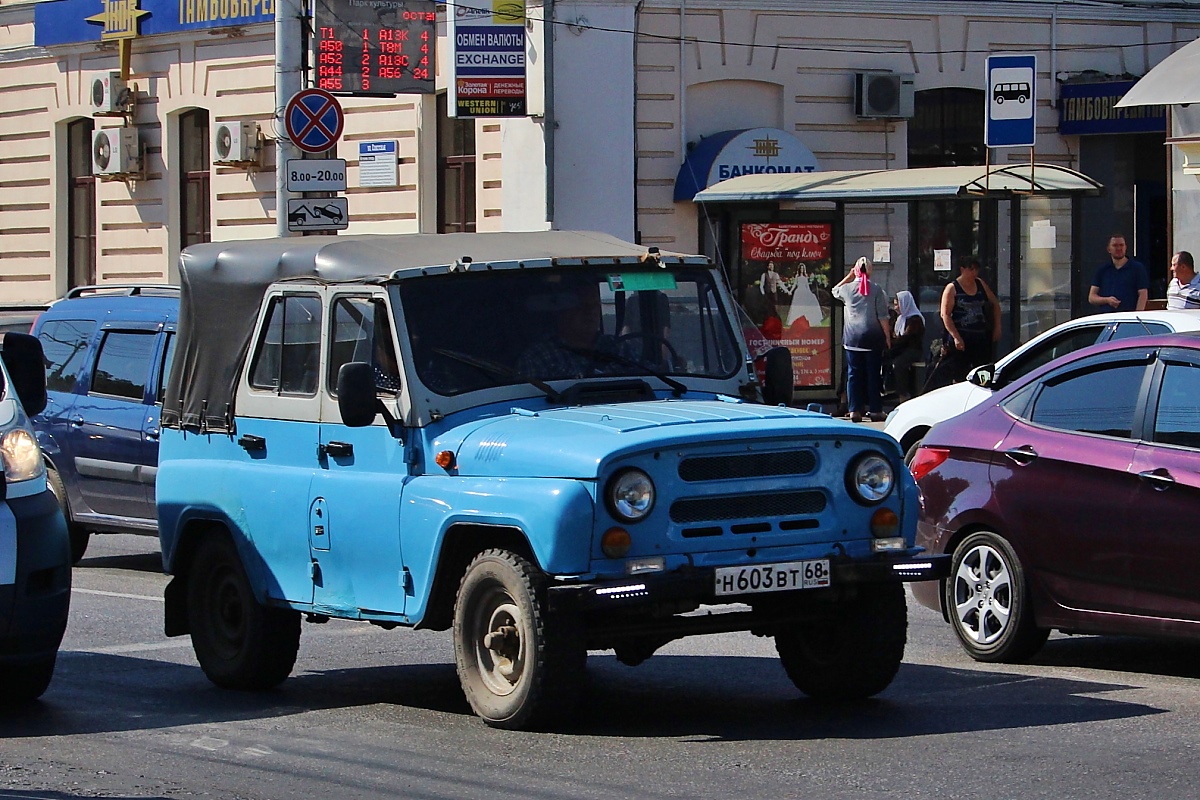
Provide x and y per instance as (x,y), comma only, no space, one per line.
(1071,501)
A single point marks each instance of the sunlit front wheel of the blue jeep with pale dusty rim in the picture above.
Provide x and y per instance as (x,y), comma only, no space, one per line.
(519,665)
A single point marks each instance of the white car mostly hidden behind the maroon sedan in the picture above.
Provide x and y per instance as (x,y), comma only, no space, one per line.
(910,422)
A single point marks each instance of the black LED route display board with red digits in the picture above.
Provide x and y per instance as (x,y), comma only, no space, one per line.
(376,47)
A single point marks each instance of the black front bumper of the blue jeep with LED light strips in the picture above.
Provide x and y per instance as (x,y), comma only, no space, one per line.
(692,587)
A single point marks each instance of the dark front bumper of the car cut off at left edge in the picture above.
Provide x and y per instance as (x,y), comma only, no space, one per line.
(34,607)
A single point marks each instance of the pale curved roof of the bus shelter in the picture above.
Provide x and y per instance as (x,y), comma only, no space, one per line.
(898,185)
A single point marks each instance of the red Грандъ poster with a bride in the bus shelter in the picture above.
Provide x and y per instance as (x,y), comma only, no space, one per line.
(785,273)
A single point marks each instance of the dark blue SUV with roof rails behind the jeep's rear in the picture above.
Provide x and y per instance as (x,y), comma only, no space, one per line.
(107,350)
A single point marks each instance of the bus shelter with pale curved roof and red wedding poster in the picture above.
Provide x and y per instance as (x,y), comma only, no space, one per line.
(787,238)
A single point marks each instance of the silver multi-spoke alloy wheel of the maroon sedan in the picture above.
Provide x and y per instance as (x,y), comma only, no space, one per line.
(988,601)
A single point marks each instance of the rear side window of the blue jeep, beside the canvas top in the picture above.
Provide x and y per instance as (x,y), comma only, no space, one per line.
(287,359)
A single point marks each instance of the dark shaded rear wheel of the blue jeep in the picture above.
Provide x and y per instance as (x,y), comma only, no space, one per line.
(239,642)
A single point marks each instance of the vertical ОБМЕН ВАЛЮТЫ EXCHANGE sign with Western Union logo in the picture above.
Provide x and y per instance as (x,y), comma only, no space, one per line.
(489,64)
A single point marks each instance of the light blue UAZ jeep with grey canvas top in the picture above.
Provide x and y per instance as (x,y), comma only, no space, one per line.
(549,443)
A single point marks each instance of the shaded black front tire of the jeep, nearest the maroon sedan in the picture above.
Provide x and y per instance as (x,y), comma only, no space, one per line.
(853,654)
